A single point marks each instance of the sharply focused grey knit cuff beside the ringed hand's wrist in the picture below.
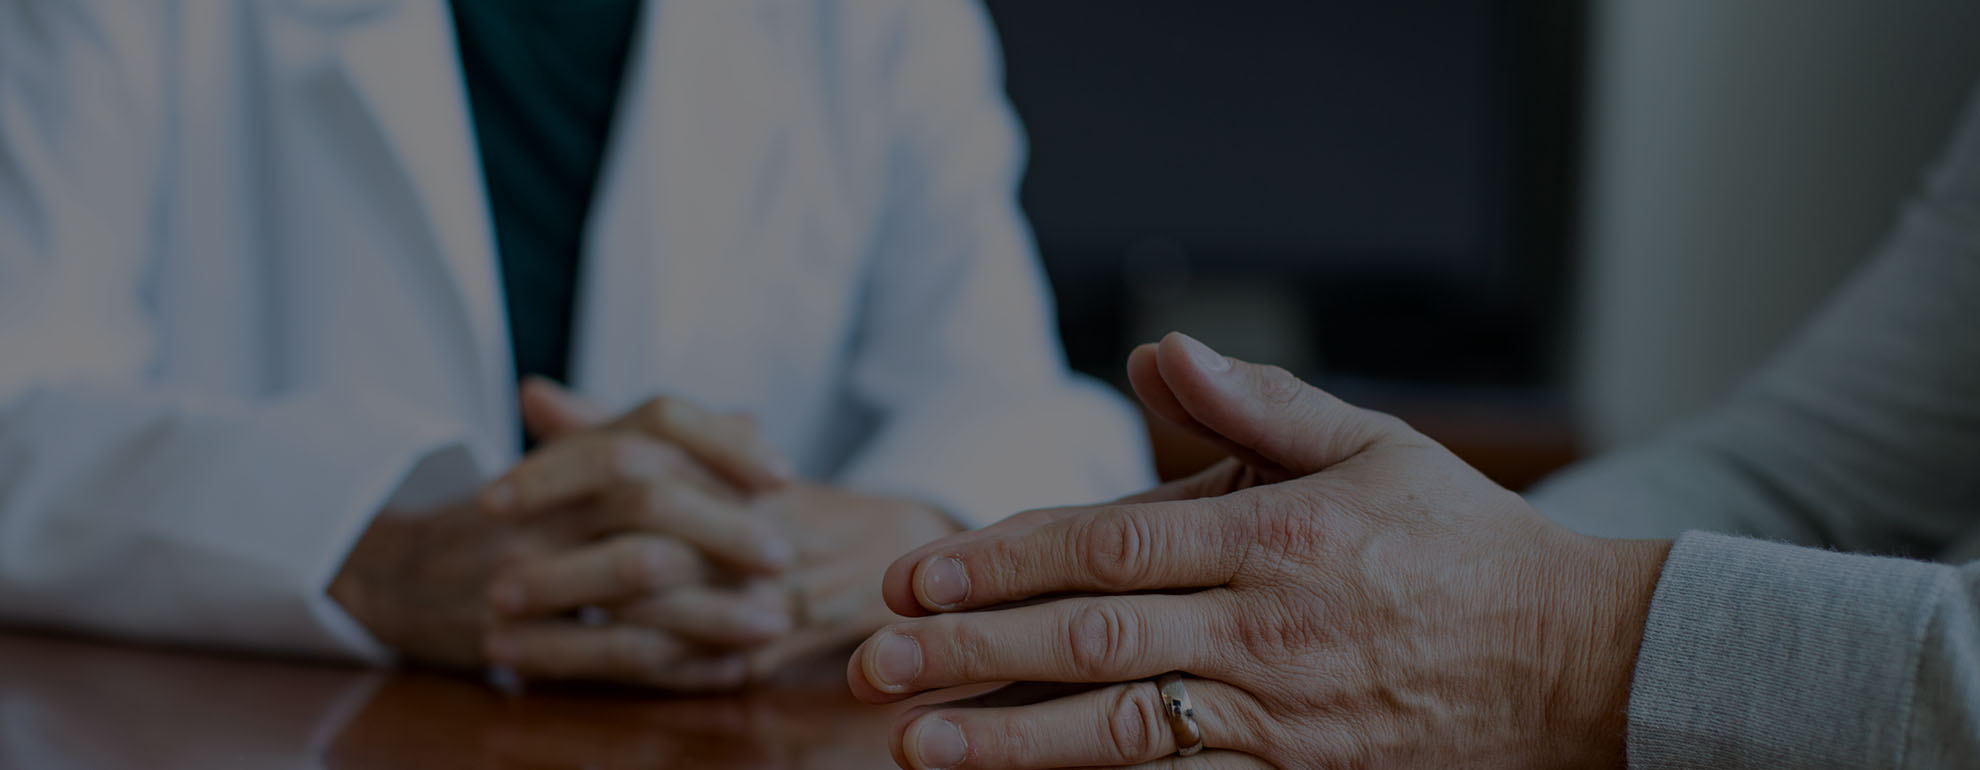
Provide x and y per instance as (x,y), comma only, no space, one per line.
(1771,656)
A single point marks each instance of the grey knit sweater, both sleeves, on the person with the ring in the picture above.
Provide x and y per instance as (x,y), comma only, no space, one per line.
(1785,642)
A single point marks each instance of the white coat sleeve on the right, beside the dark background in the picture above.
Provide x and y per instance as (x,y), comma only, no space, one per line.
(957,351)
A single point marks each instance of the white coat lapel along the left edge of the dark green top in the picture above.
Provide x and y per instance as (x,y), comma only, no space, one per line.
(403,62)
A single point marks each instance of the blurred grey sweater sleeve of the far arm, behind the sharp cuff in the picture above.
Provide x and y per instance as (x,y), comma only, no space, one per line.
(1860,434)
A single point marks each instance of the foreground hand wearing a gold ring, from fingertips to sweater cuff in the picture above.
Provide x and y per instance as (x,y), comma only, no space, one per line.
(1353,597)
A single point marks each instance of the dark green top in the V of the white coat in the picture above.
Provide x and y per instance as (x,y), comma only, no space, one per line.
(544,80)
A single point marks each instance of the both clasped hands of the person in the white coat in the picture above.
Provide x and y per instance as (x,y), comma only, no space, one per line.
(670,547)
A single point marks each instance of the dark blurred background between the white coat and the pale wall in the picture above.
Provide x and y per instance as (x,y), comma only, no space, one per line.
(1379,197)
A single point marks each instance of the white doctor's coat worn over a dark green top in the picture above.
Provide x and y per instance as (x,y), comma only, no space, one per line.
(248,286)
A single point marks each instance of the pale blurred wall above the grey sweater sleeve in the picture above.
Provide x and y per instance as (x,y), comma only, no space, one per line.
(1743,155)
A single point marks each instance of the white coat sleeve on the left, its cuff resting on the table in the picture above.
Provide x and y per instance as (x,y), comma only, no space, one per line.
(130,510)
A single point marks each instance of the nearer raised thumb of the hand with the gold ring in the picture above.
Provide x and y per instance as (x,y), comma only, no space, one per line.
(1262,415)
